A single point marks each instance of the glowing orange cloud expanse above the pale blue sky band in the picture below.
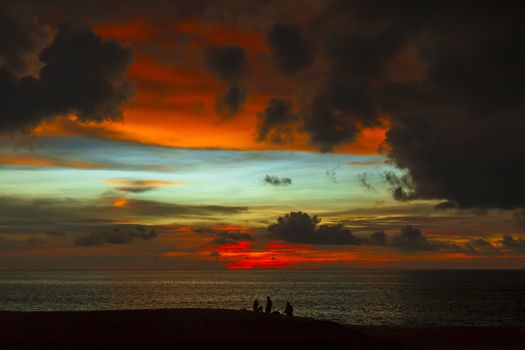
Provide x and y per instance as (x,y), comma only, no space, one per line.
(175,102)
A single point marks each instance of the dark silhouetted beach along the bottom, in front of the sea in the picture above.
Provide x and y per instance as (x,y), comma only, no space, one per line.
(227,329)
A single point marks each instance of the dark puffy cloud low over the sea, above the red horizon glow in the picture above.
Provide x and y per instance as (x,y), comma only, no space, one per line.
(299,227)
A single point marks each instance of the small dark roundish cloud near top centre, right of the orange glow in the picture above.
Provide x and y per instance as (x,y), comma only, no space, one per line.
(291,51)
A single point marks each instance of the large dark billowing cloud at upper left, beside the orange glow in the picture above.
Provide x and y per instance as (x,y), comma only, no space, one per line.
(81,75)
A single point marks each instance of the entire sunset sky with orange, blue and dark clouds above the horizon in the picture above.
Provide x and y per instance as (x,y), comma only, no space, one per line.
(175,134)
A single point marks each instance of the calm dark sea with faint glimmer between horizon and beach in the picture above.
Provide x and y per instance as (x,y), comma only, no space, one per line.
(351,296)
